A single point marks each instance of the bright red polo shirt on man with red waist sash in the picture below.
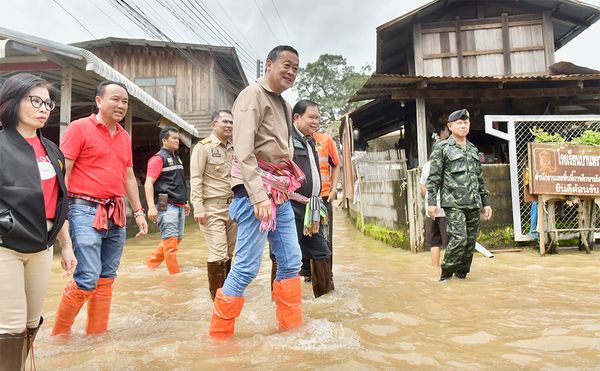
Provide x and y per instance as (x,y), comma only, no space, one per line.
(101,161)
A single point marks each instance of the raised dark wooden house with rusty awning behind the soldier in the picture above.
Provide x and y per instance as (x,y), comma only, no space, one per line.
(491,57)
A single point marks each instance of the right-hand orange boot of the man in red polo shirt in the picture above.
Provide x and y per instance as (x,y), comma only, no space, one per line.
(99,307)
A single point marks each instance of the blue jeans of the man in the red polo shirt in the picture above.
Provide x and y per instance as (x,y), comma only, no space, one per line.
(98,253)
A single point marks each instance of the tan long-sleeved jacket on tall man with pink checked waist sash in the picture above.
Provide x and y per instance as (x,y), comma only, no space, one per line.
(261,131)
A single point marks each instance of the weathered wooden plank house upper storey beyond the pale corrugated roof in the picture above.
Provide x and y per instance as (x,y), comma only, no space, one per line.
(192,80)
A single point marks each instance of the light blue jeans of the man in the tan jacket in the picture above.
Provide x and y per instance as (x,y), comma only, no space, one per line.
(250,245)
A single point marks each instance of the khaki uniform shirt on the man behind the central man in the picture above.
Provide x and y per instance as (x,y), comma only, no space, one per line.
(210,169)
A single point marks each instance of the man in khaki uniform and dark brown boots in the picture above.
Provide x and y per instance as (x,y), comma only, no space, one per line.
(211,195)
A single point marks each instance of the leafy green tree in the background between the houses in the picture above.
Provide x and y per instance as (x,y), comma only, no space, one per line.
(330,82)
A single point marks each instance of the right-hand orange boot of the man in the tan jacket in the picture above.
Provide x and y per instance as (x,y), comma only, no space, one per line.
(287,294)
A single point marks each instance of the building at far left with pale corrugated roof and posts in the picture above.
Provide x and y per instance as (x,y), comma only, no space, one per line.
(76,72)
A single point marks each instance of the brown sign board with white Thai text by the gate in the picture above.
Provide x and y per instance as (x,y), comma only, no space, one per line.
(565,169)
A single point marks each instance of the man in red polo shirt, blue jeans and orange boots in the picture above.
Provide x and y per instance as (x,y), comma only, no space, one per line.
(99,173)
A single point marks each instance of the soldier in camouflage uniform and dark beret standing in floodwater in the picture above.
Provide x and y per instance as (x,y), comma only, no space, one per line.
(457,174)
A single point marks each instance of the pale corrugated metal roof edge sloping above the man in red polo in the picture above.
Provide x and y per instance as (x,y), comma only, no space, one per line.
(101,68)
